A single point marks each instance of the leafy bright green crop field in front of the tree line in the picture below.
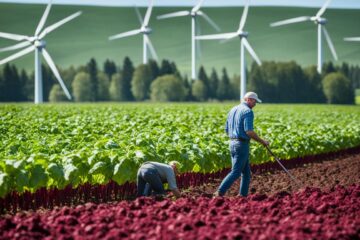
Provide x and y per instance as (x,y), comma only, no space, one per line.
(57,145)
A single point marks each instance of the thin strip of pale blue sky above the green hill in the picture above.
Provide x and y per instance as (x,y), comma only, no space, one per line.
(207,3)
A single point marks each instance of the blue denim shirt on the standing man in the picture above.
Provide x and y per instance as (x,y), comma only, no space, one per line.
(240,119)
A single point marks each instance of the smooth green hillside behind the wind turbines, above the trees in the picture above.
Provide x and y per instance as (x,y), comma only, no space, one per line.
(85,37)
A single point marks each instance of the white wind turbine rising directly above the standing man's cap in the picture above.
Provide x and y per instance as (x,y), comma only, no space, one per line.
(244,44)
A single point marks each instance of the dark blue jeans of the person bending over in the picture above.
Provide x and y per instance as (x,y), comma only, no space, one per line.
(148,181)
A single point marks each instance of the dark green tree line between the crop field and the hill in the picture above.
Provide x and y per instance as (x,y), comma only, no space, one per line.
(275,82)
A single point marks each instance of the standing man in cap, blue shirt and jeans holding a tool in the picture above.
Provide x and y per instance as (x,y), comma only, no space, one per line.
(240,129)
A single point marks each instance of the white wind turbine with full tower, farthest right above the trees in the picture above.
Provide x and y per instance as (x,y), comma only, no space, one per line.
(317,19)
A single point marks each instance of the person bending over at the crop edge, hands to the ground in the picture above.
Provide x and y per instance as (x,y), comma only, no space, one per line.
(152,175)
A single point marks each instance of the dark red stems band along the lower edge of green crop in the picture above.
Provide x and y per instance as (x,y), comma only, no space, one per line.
(48,198)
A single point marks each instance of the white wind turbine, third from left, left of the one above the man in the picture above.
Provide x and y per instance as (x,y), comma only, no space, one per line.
(194,12)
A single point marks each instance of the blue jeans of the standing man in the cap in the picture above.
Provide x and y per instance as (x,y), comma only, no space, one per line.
(240,167)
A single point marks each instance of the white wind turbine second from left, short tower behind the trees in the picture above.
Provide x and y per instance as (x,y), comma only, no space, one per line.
(145,30)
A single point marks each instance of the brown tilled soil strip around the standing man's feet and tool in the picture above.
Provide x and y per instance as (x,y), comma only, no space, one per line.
(324,175)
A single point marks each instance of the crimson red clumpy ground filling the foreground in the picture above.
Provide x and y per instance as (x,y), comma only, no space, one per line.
(307,214)
